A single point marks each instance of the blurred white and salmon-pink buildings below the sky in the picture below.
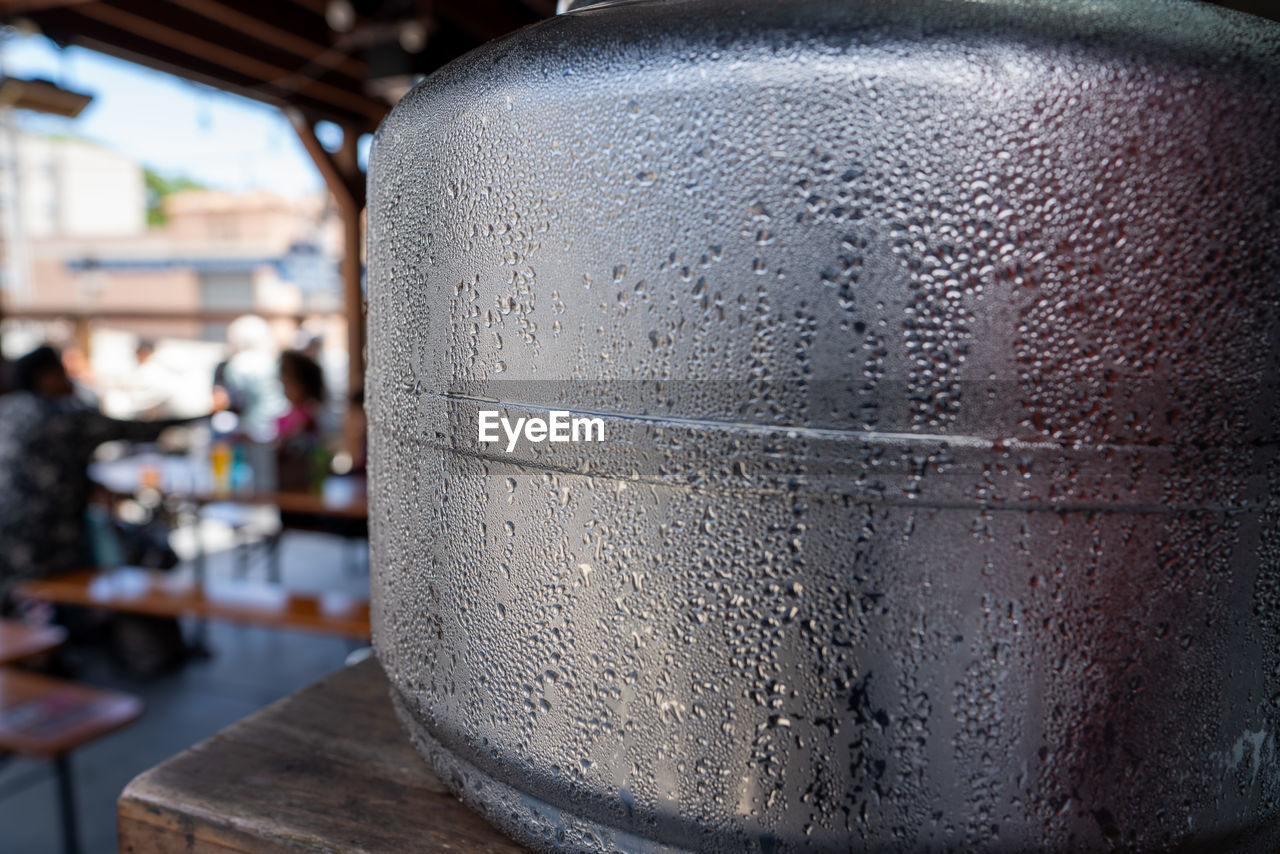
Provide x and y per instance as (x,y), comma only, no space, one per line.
(81,218)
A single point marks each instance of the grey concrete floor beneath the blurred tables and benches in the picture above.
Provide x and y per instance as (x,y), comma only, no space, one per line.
(250,669)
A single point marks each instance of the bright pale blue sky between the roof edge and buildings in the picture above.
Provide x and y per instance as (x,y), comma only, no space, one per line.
(170,125)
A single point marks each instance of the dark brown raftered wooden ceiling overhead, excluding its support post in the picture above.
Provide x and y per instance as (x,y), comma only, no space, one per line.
(280,52)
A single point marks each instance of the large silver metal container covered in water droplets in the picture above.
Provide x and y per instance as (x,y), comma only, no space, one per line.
(935,346)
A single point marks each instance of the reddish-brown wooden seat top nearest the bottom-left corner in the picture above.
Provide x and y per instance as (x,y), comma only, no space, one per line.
(44,718)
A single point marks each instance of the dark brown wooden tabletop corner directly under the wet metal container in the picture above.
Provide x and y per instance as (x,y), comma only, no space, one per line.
(326,770)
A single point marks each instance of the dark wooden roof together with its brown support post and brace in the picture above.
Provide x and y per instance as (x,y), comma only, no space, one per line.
(345,62)
